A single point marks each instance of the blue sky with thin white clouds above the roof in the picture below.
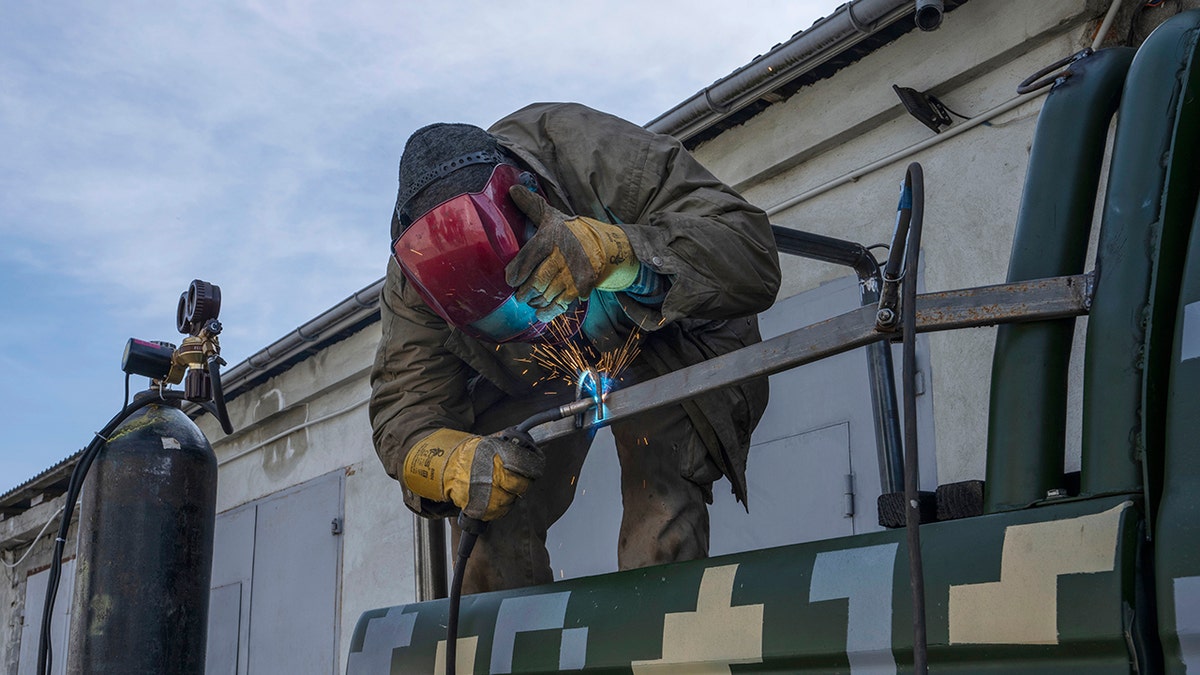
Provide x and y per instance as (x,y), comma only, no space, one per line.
(255,146)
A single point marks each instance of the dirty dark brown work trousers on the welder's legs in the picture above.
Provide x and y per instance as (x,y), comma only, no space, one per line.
(667,480)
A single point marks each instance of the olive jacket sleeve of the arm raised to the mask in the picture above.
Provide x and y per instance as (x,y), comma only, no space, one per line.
(717,249)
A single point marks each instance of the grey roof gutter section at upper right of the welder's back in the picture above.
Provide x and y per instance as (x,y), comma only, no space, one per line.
(849,26)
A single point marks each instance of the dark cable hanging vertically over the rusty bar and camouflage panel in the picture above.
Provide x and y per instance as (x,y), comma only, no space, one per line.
(915,187)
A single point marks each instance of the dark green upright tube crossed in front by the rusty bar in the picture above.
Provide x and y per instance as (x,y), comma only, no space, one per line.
(1027,426)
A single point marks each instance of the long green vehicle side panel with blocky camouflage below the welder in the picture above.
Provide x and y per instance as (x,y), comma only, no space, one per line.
(839,606)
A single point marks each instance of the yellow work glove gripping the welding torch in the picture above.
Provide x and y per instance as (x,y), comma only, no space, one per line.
(481,475)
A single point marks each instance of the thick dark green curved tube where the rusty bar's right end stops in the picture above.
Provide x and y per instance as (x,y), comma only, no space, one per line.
(1148,211)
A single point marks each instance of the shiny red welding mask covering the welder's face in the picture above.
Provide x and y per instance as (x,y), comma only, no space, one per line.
(455,258)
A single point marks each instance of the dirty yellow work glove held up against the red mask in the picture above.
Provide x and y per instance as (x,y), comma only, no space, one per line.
(568,259)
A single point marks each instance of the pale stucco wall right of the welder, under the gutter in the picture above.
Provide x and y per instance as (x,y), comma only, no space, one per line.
(974,181)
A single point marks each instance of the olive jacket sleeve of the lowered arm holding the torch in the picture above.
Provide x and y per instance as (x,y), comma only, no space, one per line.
(417,385)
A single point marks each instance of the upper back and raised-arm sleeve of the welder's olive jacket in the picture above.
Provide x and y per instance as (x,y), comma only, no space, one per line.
(716,249)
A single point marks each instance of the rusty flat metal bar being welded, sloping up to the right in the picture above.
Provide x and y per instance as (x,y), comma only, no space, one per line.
(986,306)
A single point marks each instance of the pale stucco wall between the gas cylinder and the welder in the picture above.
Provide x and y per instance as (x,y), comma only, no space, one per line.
(305,423)
